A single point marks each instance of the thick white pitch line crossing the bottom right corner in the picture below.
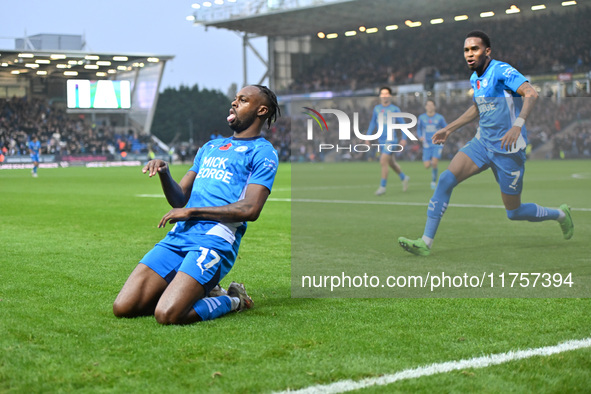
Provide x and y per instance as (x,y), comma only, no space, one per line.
(428,370)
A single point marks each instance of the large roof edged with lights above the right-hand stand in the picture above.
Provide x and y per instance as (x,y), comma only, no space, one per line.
(340,16)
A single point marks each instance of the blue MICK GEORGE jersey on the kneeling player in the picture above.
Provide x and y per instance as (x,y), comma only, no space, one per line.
(224,168)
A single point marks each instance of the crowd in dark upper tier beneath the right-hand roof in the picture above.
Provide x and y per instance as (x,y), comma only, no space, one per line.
(534,45)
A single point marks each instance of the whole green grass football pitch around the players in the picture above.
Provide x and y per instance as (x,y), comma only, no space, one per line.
(70,238)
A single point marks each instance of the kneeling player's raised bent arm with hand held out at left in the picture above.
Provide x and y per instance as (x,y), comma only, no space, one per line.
(176,194)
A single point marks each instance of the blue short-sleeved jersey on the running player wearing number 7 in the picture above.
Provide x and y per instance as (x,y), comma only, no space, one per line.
(495,94)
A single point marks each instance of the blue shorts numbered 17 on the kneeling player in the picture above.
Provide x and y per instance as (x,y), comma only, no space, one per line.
(209,262)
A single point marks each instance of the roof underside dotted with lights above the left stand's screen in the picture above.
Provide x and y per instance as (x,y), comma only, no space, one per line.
(82,64)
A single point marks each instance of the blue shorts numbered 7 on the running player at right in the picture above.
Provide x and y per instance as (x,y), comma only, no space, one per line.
(507,167)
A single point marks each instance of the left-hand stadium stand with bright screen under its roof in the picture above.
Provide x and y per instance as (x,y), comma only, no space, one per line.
(83,106)
